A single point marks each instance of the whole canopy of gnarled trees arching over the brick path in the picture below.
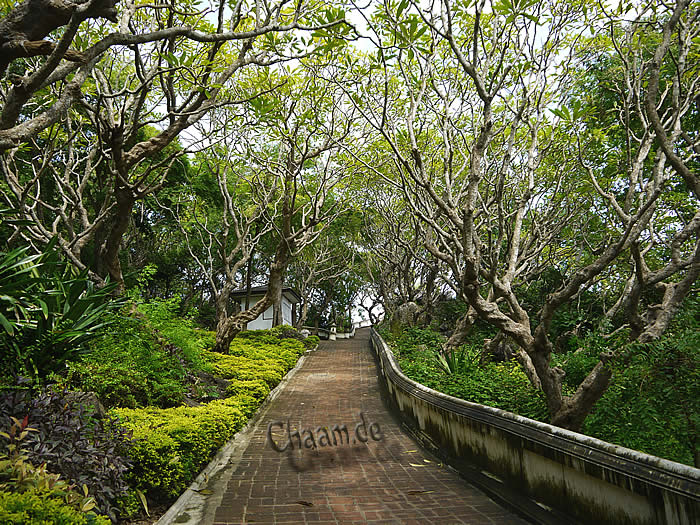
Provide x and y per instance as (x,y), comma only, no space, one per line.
(535,161)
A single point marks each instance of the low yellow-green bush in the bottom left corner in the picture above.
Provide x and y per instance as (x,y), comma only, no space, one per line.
(39,508)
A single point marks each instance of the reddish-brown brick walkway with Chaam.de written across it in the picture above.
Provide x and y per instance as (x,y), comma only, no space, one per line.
(390,480)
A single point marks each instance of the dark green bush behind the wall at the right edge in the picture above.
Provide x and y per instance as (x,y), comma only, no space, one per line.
(653,404)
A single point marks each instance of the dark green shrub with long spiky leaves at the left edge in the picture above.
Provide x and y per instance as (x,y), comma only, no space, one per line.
(54,311)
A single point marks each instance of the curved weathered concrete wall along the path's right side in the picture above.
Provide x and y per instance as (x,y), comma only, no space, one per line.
(534,465)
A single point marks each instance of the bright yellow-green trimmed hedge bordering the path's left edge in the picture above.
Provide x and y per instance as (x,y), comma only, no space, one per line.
(172,445)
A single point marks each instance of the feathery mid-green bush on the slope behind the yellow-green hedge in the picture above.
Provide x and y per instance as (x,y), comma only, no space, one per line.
(129,367)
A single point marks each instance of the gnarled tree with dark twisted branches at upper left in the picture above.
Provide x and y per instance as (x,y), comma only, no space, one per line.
(96,94)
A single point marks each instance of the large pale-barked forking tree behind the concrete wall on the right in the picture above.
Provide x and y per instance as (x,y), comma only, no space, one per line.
(473,105)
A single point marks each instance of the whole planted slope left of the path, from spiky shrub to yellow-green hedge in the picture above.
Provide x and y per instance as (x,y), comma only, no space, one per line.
(127,419)
